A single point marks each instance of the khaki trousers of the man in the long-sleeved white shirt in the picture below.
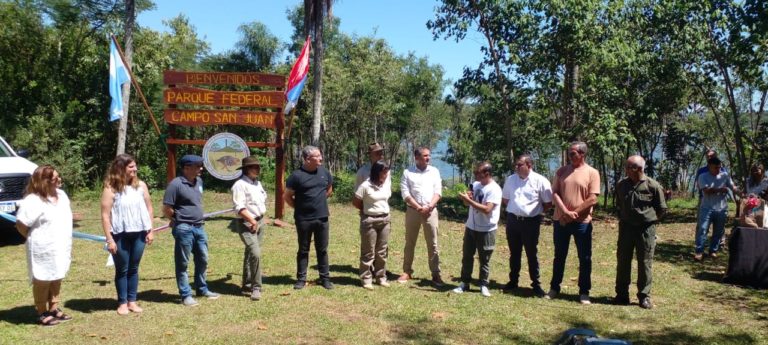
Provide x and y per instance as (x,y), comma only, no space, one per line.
(413,222)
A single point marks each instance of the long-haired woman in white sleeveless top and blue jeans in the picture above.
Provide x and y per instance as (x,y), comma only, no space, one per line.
(126,217)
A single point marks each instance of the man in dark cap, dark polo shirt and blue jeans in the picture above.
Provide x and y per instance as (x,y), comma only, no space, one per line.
(183,205)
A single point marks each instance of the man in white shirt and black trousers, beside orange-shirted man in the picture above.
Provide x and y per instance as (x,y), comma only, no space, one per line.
(527,196)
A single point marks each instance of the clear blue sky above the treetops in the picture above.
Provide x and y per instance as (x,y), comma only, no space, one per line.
(402,23)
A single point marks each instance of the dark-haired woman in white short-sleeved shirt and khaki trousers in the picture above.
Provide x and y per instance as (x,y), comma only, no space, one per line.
(371,198)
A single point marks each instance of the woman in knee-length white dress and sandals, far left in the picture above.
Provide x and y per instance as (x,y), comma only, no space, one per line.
(45,219)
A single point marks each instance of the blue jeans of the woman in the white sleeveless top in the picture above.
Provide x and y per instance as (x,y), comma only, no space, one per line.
(130,248)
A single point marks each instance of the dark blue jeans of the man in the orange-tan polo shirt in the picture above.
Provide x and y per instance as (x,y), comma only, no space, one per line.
(582,235)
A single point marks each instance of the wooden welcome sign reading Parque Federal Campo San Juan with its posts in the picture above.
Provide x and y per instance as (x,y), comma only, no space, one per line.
(214,107)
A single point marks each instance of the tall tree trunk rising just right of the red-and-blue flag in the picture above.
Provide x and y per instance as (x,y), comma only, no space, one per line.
(317,71)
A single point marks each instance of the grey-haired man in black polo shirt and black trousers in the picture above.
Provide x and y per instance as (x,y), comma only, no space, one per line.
(307,191)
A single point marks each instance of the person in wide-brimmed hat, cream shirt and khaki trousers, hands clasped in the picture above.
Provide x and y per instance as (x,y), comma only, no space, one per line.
(250,203)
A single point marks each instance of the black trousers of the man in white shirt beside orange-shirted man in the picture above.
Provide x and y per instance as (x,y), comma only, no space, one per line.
(523,233)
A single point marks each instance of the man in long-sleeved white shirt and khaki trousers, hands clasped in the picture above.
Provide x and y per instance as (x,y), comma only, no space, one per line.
(421,188)
